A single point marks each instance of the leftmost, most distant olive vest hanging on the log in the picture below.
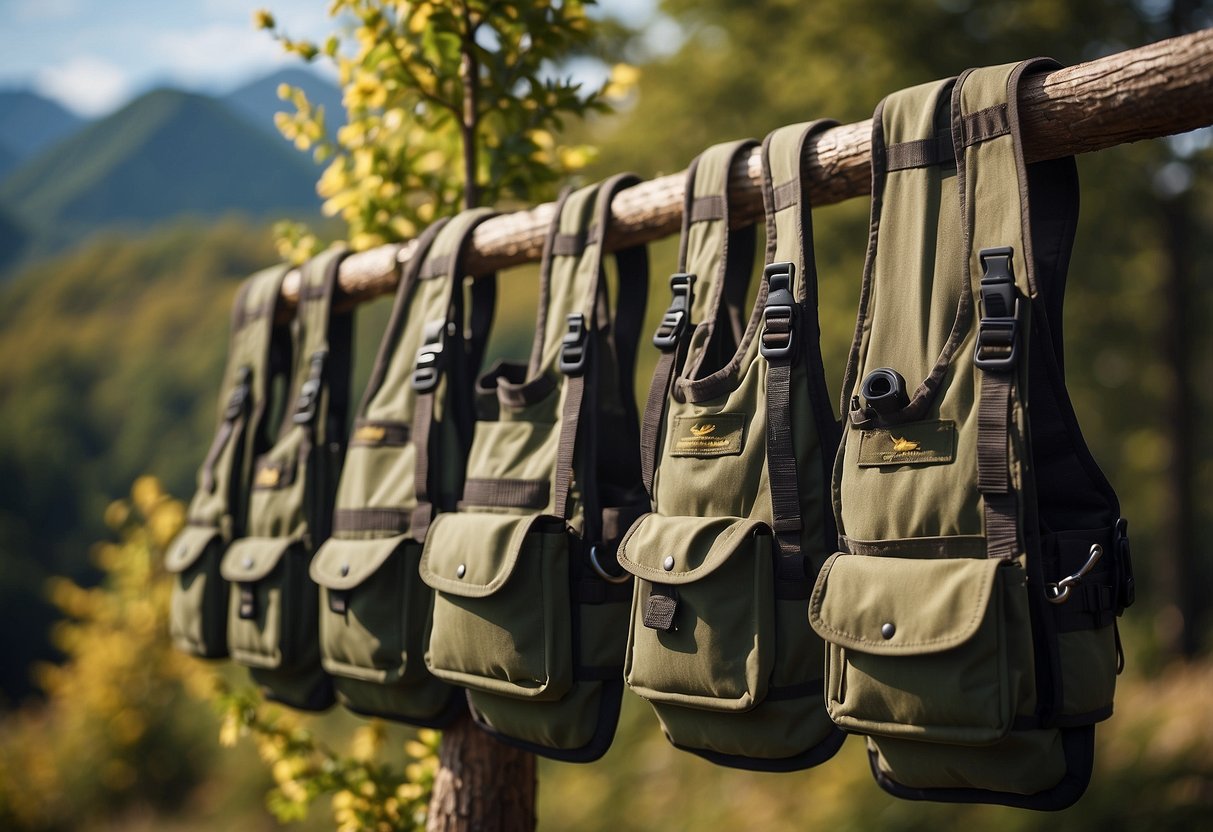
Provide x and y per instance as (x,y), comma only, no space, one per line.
(258,355)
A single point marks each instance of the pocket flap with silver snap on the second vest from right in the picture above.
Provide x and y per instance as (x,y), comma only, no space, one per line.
(682,550)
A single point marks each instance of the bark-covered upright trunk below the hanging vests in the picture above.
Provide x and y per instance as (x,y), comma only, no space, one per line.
(482,785)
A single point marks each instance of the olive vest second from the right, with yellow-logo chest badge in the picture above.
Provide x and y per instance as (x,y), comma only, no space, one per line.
(741,437)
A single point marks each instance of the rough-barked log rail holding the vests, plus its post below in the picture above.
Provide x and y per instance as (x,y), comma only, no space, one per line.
(1158,90)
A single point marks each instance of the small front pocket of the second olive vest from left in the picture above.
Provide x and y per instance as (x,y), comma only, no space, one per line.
(274,606)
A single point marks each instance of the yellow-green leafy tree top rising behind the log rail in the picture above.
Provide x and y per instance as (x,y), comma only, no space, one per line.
(449,102)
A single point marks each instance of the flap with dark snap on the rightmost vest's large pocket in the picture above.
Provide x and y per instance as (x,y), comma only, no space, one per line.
(902,606)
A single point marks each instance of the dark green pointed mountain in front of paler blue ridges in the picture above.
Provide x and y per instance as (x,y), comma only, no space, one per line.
(166,155)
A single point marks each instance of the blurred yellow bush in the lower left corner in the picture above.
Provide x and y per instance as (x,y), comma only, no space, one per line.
(117,715)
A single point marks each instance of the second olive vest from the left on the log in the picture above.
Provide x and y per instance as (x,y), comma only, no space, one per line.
(272,612)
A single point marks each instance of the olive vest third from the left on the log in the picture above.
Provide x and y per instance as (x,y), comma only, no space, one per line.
(406,461)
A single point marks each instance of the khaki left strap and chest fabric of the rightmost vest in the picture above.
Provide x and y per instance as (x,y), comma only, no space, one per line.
(908,324)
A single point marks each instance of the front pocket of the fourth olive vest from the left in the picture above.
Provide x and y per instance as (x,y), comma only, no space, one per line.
(502,620)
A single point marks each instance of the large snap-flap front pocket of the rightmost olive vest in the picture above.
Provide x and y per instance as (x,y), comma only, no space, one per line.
(920,649)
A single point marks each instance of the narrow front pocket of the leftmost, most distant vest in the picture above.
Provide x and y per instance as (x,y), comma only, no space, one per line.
(200,602)
